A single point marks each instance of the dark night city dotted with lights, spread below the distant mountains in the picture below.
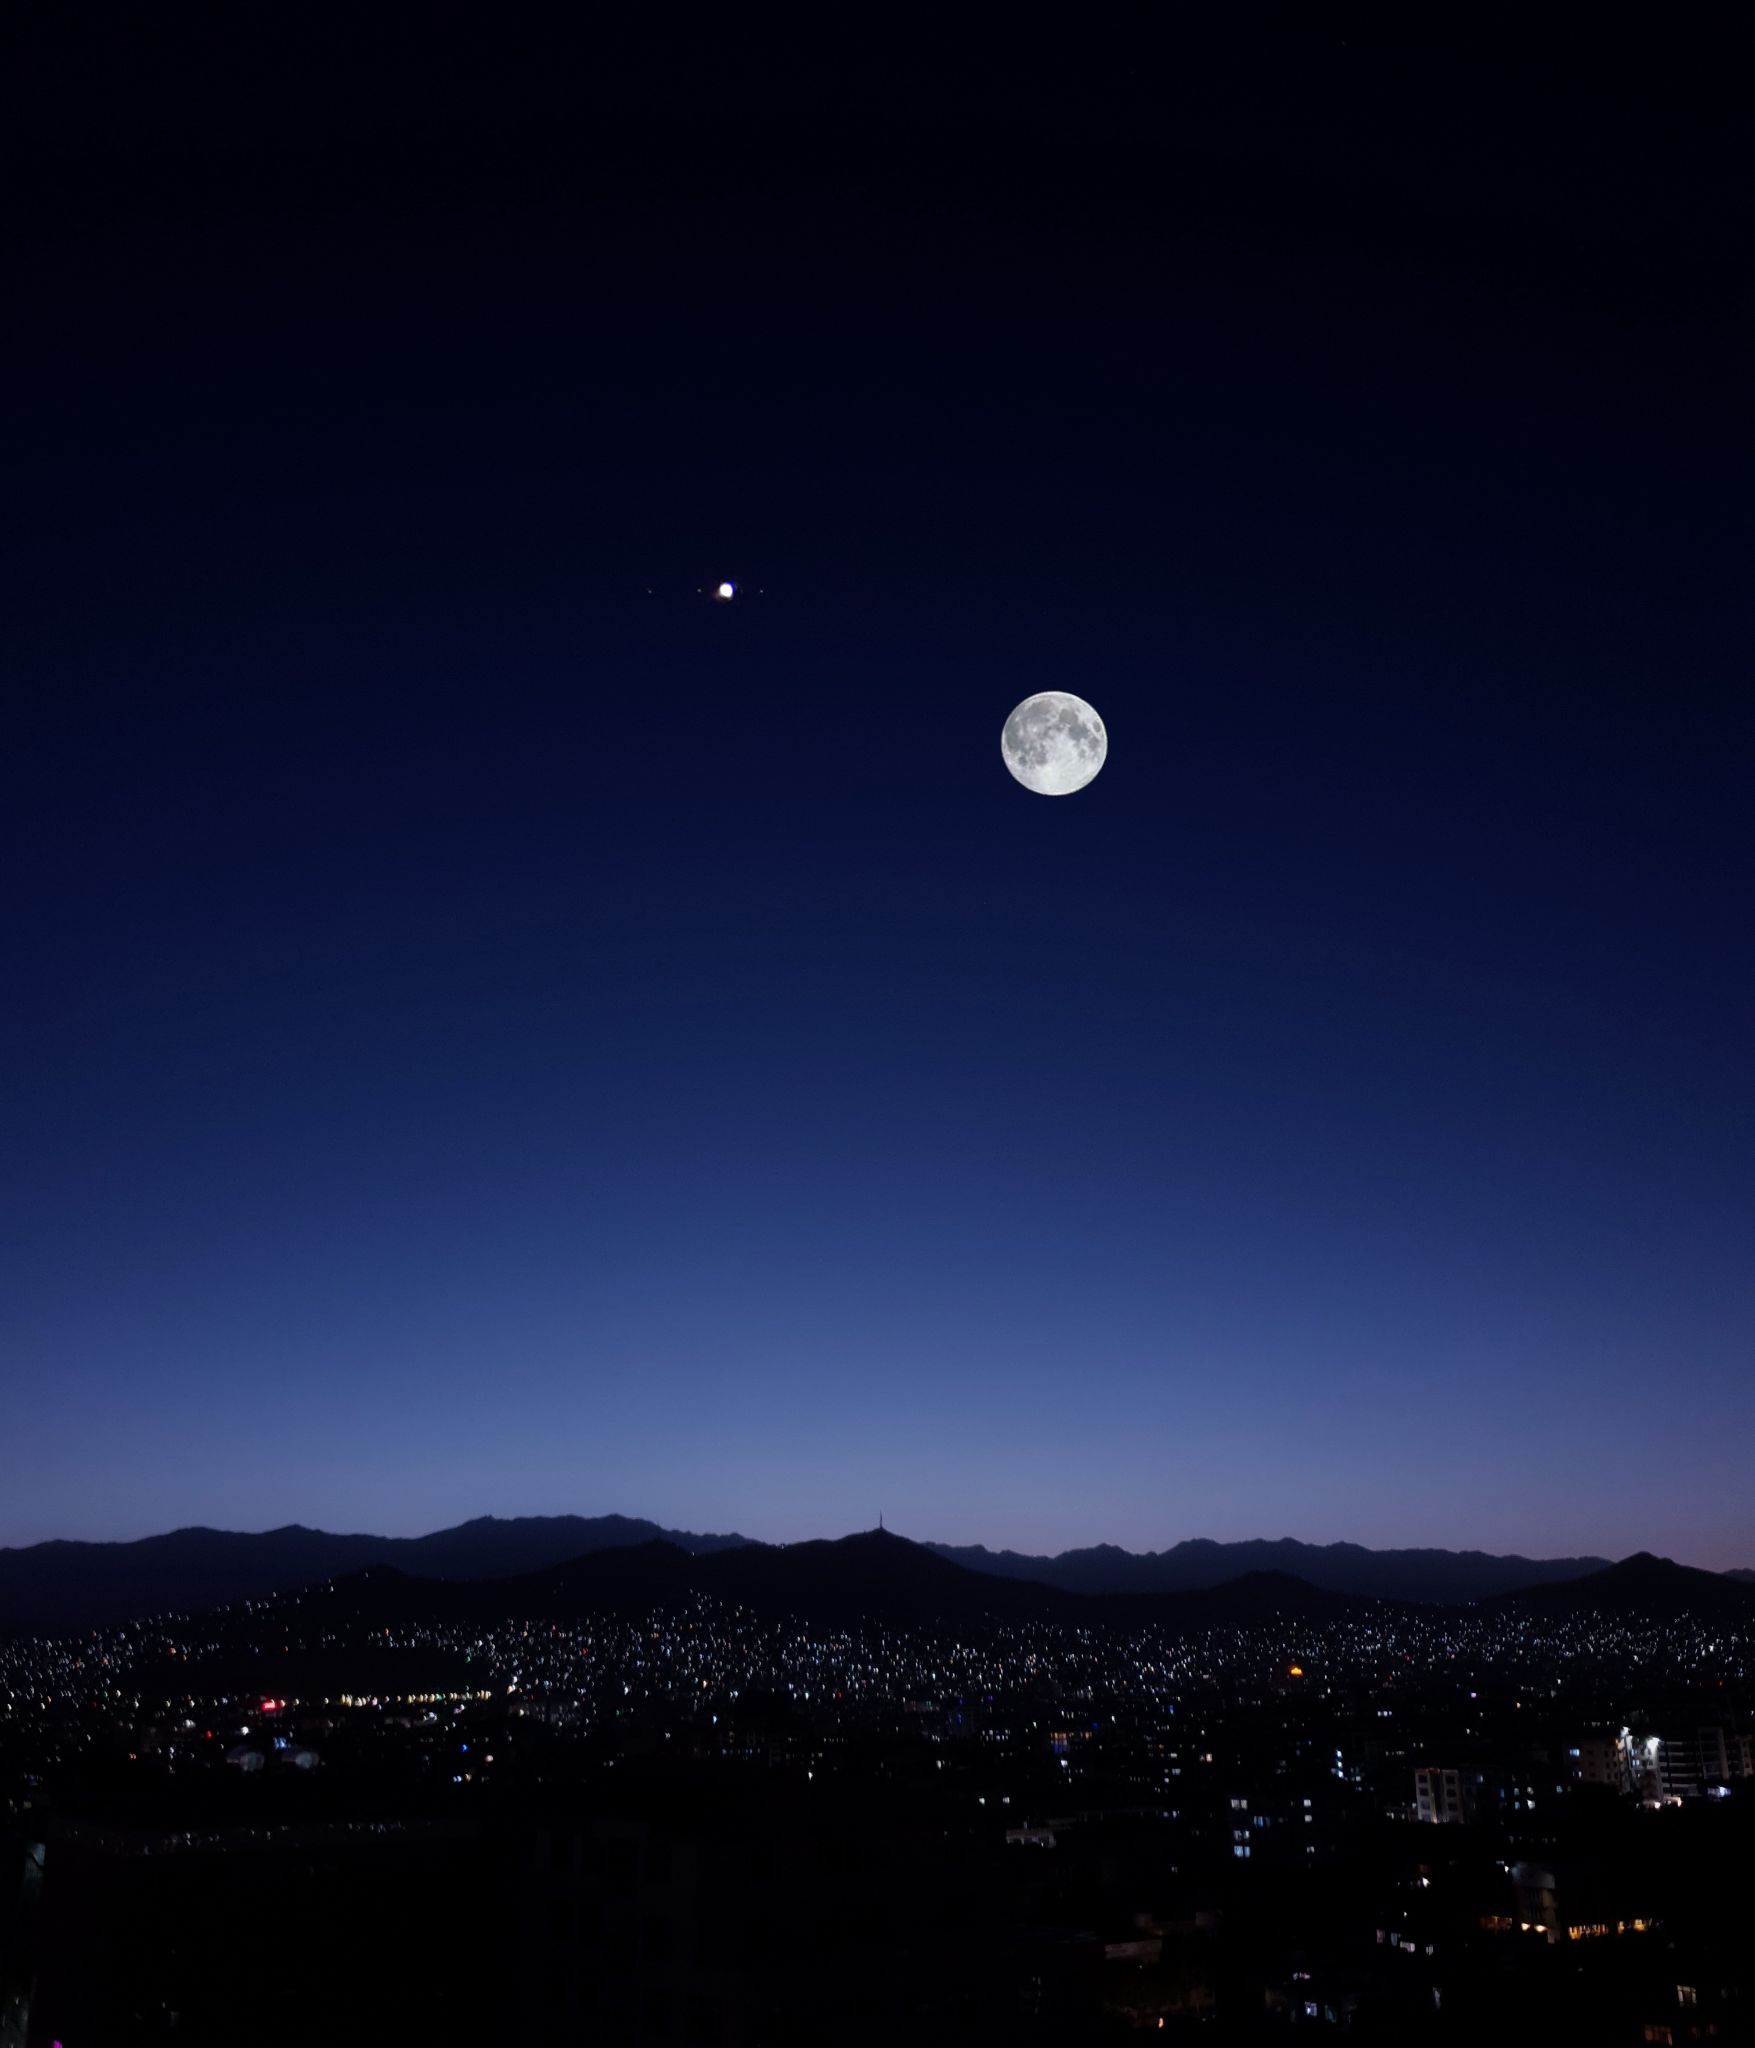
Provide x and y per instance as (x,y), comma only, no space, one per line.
(1056,1818)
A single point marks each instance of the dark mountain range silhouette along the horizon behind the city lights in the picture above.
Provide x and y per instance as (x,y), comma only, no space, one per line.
(622,1560)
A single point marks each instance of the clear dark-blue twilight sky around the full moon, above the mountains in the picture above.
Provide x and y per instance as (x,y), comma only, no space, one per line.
(484,1029)
